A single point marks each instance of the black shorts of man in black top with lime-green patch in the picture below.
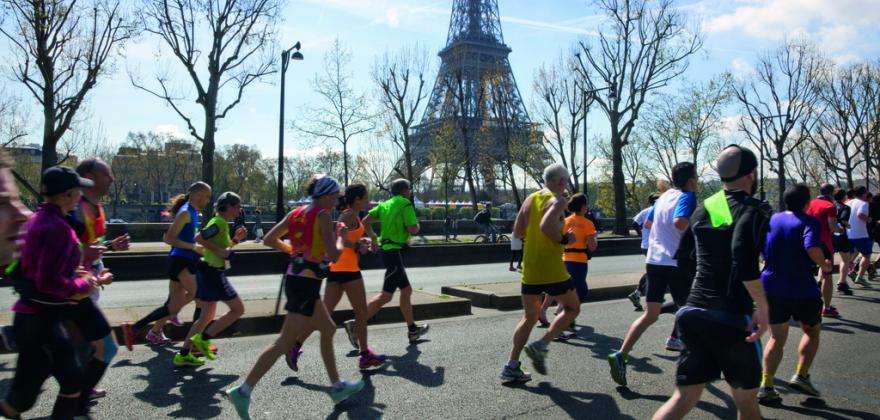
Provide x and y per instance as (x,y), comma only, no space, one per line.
(713,348)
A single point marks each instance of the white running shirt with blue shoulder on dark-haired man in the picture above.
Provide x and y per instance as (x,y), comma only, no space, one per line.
(664,238)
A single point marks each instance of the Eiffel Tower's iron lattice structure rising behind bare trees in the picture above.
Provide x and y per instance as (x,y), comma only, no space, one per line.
(475,62)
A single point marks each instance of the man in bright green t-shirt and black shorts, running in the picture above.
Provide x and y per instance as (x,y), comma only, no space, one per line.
(398,221)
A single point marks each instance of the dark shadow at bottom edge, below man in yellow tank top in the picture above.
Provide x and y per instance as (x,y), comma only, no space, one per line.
(578,404)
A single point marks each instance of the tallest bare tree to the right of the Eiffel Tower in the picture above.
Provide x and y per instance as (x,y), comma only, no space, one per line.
(643,45)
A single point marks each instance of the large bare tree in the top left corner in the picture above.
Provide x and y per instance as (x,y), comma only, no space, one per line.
(61,48)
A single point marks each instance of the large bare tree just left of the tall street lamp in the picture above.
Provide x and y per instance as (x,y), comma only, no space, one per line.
(240,42)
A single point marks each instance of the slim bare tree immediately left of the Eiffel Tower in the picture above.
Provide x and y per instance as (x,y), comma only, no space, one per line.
(400,79)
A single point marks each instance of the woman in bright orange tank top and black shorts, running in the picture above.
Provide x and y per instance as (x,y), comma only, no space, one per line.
(345,276)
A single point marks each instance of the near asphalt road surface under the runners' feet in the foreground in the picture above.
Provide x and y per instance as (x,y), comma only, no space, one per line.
(454,374)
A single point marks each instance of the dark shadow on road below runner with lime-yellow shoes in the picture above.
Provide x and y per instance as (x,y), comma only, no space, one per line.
(199,394)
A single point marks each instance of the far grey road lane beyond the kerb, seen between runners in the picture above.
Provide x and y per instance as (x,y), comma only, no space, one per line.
(430,279)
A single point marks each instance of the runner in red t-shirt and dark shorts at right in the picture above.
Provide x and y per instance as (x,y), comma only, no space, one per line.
(823,209)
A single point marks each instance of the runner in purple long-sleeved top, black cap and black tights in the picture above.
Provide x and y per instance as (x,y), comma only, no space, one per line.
(47,277)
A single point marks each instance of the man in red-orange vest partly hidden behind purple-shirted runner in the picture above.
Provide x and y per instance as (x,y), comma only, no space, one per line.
(88,220)
